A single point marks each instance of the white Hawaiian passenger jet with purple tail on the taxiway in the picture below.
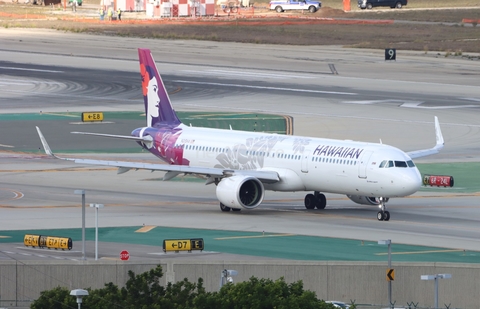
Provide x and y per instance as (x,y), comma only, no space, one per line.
(243,165)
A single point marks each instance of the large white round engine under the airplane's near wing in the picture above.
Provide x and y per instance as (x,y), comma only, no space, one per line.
(244,191)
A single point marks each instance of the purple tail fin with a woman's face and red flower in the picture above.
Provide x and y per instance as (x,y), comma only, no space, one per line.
(157,103)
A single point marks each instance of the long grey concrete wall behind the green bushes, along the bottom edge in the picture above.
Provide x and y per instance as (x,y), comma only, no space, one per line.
(22,282)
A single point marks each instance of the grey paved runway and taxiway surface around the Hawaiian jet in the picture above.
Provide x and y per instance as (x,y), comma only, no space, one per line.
(370,99)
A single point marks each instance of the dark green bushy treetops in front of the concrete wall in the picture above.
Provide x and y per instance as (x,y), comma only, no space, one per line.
(144,291)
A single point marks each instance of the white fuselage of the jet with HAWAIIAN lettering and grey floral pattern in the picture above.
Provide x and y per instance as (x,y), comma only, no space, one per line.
(304,163)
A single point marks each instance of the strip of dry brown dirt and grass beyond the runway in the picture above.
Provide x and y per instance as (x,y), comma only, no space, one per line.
(401,29)
